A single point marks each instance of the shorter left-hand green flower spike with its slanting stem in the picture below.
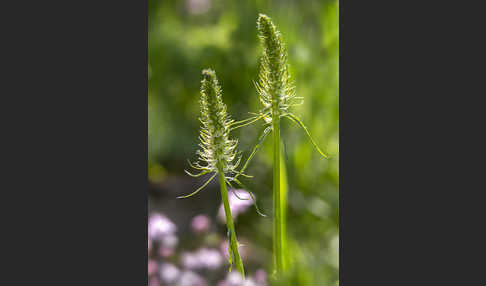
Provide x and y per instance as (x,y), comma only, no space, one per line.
(218,153)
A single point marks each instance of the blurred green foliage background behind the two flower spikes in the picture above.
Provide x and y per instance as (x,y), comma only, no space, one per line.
(187,36)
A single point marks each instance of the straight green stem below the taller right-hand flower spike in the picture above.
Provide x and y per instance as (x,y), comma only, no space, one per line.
(277,217)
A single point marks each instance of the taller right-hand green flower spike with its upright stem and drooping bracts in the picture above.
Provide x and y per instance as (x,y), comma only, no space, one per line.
(277,94)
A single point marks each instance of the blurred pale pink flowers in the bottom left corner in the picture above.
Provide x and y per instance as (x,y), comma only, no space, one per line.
(199,267)
